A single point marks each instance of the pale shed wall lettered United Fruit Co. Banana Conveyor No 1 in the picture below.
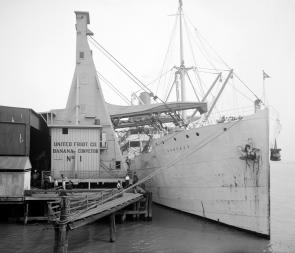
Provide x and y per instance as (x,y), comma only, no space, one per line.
(75,152)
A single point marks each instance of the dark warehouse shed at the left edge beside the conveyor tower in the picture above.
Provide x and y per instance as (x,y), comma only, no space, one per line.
(24,150)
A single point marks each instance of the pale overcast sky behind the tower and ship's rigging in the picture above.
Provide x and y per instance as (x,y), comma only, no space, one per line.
(37,47)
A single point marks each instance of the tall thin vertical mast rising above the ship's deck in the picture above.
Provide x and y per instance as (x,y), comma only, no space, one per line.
(182,68)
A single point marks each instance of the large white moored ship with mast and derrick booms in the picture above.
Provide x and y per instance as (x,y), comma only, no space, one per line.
(217,169)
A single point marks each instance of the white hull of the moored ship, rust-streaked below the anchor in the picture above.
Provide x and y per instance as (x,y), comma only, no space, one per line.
(204,175)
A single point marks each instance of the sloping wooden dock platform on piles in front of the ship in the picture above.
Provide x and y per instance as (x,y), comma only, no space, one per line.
(71,212)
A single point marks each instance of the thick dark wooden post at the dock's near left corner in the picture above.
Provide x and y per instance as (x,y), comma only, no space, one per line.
(61,231)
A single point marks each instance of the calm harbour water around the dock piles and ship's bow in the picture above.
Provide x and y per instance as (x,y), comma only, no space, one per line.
(171,231)
